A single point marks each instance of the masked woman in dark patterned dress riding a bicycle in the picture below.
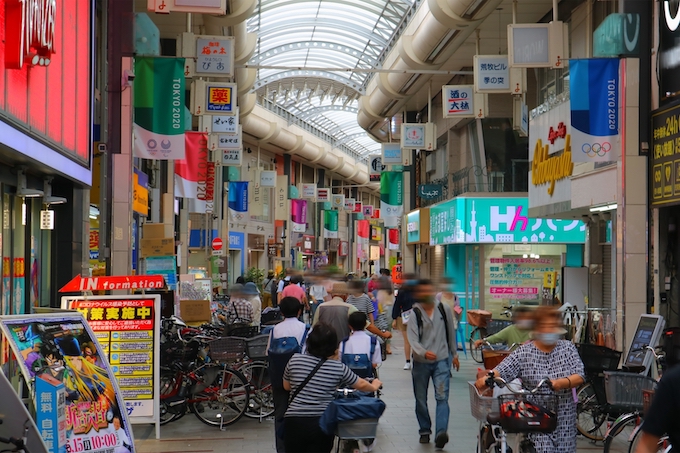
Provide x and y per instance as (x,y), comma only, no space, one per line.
(548,356)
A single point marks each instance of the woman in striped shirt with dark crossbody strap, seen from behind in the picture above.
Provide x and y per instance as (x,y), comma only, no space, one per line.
(312,379)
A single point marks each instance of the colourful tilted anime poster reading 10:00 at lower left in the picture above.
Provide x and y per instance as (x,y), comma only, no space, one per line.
(57,346)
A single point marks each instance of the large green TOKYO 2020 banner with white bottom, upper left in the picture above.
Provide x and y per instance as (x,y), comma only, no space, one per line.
(159,108)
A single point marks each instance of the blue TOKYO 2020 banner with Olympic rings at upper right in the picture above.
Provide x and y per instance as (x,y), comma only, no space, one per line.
(595,110)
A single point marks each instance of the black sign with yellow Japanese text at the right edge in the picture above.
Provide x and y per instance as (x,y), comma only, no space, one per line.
(665,160)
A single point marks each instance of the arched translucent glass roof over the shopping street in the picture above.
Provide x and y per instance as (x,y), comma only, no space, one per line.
(323,36)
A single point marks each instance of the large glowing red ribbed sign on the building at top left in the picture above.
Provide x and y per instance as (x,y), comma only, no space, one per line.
(52,102)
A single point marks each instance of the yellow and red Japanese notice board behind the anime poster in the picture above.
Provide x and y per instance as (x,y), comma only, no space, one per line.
(126,328)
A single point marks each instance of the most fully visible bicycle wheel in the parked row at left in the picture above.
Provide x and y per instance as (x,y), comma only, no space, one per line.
(223,402)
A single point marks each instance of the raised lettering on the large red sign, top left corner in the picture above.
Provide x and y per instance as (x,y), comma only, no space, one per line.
(30,32)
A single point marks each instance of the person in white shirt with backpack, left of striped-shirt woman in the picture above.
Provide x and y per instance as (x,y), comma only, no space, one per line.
(287,338)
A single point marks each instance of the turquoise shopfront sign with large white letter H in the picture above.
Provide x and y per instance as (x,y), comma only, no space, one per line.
(490,220)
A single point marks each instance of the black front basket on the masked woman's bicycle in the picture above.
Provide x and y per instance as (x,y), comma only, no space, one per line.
(528,413)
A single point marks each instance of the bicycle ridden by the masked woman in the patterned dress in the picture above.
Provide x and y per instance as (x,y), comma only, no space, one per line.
(521,412)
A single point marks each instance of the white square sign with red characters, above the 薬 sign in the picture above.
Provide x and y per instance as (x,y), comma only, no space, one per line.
(214,56)
